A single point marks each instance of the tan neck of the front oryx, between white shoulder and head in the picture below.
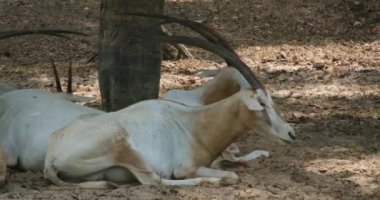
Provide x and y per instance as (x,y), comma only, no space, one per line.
(219,124)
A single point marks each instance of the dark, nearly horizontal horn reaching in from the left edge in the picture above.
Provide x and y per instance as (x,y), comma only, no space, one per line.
(51,32)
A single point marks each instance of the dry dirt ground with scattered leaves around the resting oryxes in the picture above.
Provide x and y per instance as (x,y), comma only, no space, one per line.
(325,54)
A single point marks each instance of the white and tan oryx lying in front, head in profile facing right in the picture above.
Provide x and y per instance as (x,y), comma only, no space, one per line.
(161,141)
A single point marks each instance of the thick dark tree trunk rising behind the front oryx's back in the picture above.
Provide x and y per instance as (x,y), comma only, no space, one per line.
(128,67)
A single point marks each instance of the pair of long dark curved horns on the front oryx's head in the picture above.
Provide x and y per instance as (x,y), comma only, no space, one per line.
(215,43)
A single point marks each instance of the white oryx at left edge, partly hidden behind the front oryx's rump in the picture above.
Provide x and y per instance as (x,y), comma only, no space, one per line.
(29,116)
